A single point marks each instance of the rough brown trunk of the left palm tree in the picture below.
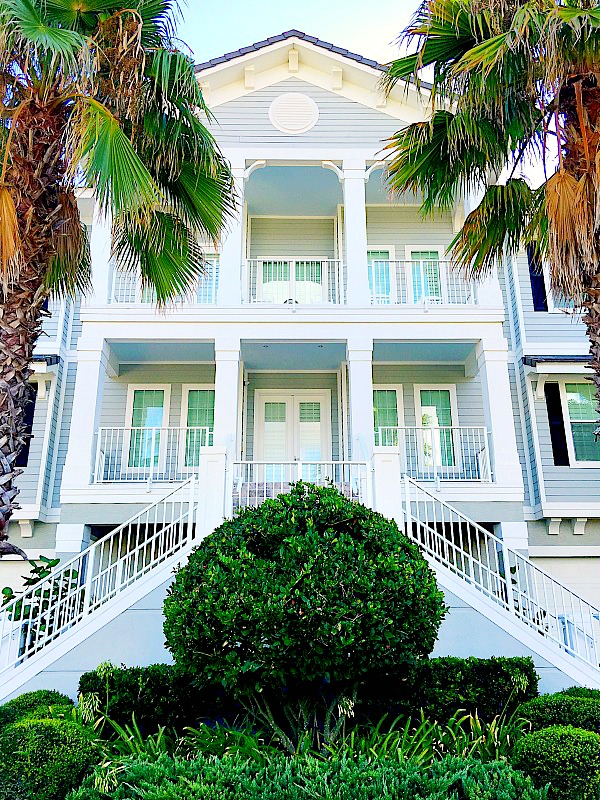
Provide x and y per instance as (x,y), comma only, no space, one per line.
(34,178)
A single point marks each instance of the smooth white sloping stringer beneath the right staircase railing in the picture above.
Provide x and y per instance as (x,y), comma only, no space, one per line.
(575,669)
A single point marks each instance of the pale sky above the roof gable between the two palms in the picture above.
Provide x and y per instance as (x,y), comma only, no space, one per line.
(212,28)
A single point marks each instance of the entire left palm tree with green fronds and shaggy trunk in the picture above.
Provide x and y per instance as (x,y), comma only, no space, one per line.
(94,93)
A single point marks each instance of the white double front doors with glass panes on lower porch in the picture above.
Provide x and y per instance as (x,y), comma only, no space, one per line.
(291,428)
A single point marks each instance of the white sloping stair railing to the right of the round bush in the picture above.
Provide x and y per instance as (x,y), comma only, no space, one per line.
(504,575)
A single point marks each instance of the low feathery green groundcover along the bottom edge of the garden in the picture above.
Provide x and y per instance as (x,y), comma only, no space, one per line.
(301,778)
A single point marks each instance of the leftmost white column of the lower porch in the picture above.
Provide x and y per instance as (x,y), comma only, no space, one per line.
(92,368)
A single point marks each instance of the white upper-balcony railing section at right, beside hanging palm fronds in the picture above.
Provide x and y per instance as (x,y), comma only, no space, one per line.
(418,283)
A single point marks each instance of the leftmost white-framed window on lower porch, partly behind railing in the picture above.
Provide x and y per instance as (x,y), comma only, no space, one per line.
(147,411)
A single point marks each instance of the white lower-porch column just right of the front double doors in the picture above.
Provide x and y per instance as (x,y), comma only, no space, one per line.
(360,386)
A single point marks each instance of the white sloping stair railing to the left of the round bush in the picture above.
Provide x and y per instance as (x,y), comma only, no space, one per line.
(83,585)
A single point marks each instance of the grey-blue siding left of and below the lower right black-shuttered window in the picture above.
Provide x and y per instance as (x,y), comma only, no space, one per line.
(563,484)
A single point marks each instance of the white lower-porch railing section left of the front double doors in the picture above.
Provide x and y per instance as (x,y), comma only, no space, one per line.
(148,455)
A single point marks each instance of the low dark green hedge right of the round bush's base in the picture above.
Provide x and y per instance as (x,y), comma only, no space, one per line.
(441,686)
